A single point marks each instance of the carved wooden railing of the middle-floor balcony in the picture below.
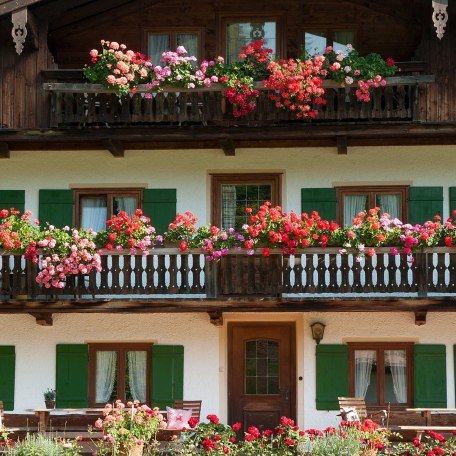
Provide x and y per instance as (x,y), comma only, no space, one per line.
(170,273)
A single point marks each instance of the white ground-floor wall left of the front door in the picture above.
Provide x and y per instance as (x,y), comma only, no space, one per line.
(36,348)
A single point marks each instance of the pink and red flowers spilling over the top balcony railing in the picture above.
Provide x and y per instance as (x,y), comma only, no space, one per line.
(295,84)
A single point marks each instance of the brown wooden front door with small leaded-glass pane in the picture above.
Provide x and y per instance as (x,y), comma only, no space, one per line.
(261,373)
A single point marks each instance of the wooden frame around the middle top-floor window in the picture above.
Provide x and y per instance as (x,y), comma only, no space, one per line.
(278,17)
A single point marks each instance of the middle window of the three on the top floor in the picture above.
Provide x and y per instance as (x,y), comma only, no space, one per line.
(240,31)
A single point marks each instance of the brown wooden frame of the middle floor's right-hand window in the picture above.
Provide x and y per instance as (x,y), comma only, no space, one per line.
(371,191)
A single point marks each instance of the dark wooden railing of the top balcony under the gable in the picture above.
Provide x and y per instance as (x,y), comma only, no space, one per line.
(80,104)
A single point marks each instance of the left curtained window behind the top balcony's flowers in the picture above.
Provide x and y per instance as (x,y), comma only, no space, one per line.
(162,40)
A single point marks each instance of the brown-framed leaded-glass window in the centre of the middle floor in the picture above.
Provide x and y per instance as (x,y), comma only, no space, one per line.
(232,194)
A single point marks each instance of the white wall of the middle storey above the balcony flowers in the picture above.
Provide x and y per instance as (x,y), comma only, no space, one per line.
(188,170)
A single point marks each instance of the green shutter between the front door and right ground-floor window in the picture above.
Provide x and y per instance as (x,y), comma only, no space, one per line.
(332,375)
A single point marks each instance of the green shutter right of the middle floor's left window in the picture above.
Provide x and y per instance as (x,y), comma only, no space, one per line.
(160,206)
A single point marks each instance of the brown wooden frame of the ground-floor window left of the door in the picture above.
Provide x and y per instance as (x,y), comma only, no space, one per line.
(121,349)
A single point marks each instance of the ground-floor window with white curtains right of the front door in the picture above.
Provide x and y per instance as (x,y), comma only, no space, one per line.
(381,373)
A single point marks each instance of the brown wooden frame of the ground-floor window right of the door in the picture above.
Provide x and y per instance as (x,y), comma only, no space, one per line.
(380,347)
